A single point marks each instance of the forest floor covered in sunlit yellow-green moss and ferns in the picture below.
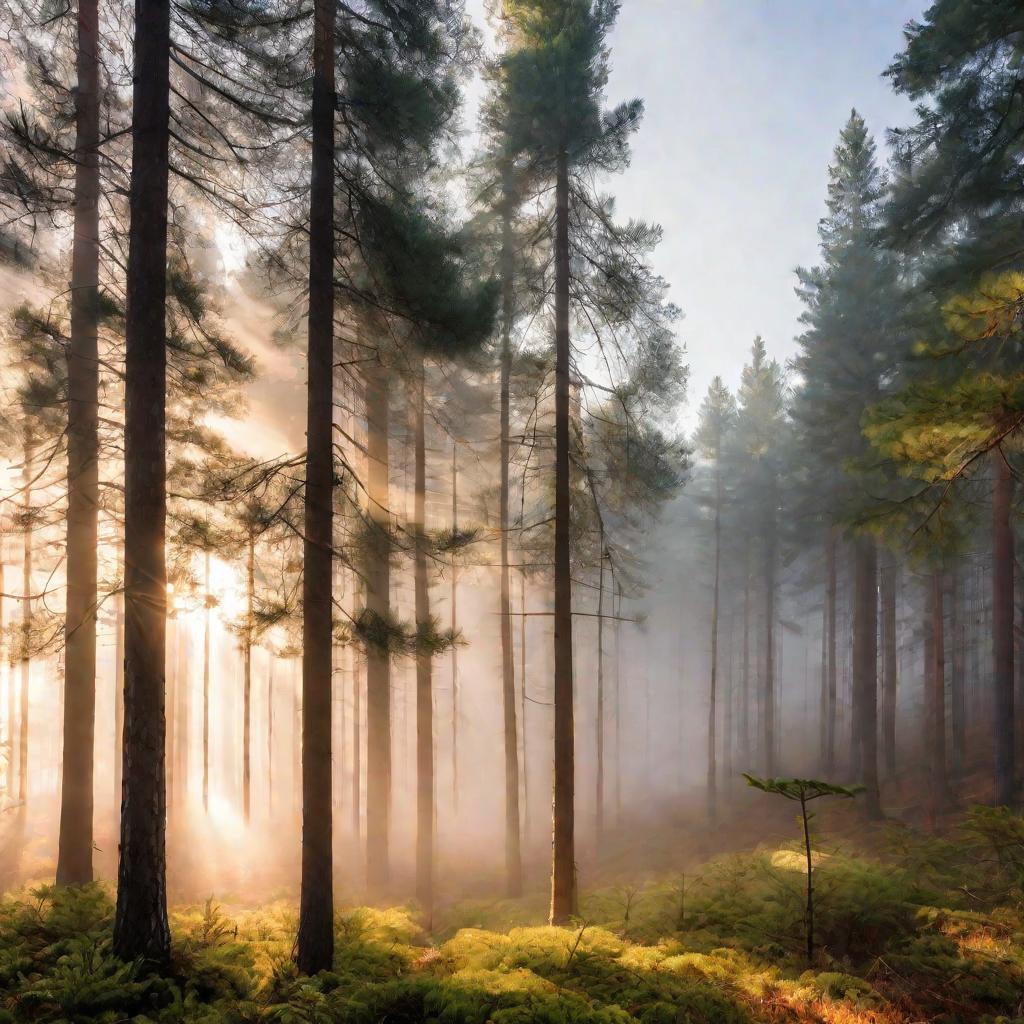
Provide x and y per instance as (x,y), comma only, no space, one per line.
(910,928)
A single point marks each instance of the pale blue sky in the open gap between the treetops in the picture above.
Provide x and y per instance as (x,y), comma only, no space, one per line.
(745,101)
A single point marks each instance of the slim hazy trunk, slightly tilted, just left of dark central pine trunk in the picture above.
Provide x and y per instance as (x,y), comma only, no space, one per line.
(514,858)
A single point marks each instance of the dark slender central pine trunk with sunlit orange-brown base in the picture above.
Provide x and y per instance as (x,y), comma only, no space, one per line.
(564,895)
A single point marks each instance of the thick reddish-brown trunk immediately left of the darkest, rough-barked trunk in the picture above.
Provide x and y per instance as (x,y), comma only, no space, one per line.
(75,844)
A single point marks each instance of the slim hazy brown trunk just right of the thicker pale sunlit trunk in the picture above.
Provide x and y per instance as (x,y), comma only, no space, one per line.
(424,675)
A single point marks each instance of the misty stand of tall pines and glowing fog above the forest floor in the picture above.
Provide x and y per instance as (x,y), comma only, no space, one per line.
(351,541)
